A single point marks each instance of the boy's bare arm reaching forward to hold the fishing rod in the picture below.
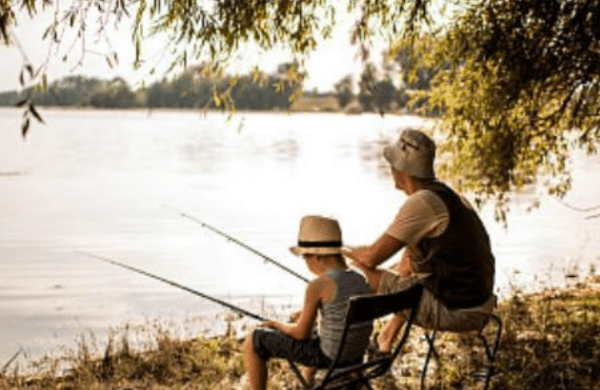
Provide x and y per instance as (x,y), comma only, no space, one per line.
(302,328)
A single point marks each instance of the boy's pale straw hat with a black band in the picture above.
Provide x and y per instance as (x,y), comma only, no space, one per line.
(318,235)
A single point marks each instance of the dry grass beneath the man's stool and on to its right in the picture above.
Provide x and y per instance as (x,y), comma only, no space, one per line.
(550,341)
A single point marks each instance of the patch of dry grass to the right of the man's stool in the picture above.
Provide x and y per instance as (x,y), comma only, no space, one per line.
(552,340)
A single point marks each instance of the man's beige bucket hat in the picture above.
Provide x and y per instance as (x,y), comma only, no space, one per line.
(413,153)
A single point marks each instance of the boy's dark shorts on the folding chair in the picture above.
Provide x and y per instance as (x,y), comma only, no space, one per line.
(270,343)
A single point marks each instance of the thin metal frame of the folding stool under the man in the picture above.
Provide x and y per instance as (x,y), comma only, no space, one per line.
(490,351)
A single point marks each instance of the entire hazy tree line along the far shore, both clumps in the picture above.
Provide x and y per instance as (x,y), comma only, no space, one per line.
(197,88)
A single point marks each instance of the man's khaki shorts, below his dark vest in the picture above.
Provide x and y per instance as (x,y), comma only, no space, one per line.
(433,314)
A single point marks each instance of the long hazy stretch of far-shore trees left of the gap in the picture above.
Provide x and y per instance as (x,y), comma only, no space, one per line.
(194,88)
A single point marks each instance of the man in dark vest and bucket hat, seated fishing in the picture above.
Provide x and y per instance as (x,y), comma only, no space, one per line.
(444,241)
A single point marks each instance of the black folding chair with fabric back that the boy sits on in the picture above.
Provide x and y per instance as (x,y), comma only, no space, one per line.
(366,308)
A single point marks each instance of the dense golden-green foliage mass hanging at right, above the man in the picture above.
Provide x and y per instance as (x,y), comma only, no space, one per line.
(517,83)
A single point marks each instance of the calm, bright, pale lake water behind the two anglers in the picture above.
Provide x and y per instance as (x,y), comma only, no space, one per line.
(103,182)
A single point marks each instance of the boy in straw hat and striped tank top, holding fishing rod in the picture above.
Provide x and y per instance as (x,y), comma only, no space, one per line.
(319,244)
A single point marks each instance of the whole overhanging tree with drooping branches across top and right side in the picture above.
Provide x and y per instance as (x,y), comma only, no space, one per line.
(516,81)
